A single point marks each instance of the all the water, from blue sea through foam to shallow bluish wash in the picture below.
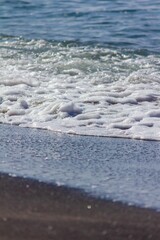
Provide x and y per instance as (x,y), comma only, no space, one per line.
(88,69)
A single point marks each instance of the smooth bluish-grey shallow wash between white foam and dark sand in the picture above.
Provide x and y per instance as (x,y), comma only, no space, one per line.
(118,169)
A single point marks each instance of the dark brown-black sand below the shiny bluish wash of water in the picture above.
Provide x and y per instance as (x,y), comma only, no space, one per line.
(30,210)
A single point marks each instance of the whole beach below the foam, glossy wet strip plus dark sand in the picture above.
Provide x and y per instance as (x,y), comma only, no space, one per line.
(35,205)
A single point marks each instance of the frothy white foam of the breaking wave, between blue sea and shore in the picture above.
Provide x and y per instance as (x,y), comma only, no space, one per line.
(80,90)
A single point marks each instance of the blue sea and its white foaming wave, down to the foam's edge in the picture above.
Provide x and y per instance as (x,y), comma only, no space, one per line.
(81,67)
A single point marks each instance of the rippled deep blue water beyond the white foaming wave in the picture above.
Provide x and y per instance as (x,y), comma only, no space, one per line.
(125,24)
